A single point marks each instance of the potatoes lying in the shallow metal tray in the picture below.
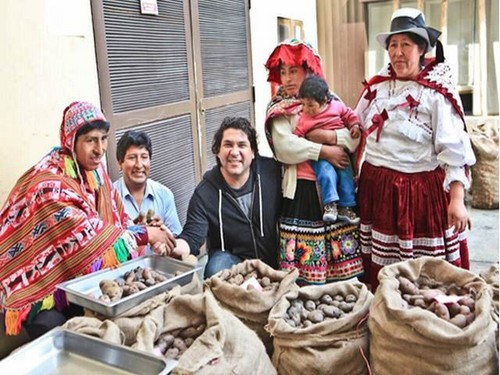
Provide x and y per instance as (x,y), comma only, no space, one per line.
(131,282)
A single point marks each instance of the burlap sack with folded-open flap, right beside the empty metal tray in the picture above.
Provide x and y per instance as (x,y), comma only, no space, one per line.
(226,347)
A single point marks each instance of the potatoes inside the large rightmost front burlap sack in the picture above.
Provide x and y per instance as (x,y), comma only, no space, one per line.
(425,294)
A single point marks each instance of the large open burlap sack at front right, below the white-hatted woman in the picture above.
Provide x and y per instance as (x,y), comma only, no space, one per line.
(416,341)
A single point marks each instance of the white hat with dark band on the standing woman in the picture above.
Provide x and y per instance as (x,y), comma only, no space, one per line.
(409,20)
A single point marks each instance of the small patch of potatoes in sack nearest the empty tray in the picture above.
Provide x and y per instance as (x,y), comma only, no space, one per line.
(173,344)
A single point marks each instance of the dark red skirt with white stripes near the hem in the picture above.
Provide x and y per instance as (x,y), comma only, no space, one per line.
(404,216)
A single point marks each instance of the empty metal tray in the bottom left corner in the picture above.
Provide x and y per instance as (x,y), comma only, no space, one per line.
(61,351)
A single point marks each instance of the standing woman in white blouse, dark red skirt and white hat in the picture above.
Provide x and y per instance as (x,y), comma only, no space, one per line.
(417,154)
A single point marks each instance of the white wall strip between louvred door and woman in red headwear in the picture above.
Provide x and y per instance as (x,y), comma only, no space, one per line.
(264,33)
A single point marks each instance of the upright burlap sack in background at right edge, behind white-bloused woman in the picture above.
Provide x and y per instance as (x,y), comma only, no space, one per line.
(484,138)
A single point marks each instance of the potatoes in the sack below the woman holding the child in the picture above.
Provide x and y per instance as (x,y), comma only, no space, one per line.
(303,313)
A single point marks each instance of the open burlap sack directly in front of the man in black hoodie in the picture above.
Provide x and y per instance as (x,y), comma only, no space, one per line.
(251,306)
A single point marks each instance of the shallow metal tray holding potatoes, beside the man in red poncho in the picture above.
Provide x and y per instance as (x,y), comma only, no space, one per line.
(84,291)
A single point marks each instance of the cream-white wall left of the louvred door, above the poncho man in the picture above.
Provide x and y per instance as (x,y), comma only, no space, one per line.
(48,61)
